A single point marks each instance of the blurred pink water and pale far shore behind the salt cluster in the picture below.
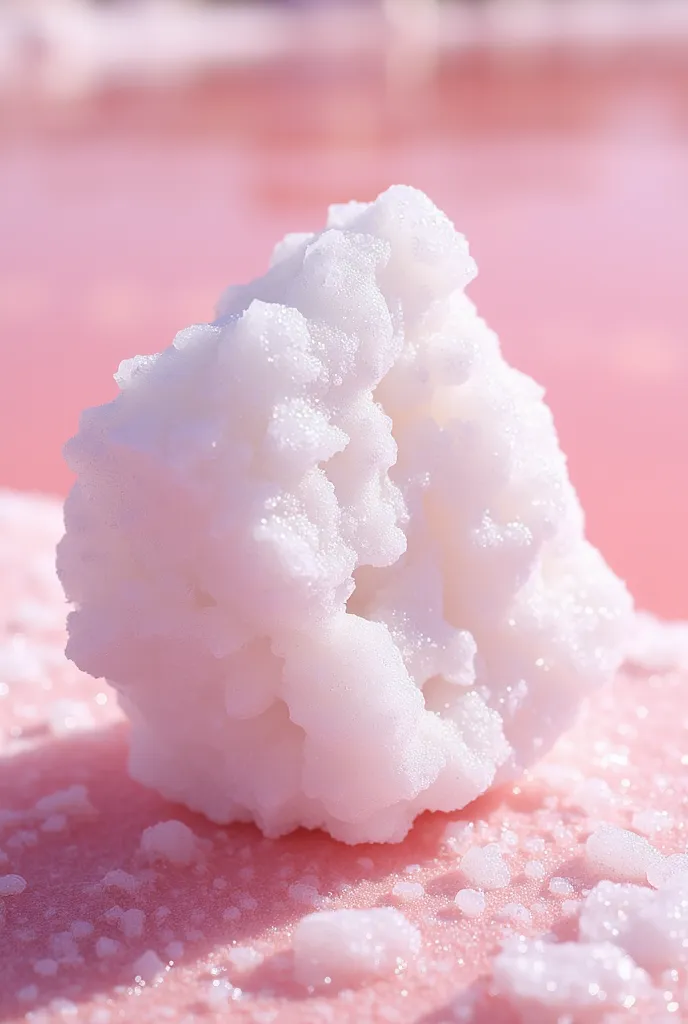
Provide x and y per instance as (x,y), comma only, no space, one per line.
(153,152)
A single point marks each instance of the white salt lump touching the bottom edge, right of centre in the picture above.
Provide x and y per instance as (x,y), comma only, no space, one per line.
(573,982)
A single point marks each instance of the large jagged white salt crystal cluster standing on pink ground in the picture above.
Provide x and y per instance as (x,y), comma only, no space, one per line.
(327,549)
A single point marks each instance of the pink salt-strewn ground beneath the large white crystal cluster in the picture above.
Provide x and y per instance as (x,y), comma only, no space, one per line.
(225,918)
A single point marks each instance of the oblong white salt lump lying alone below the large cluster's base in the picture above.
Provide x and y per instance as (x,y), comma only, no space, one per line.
(346,949)
